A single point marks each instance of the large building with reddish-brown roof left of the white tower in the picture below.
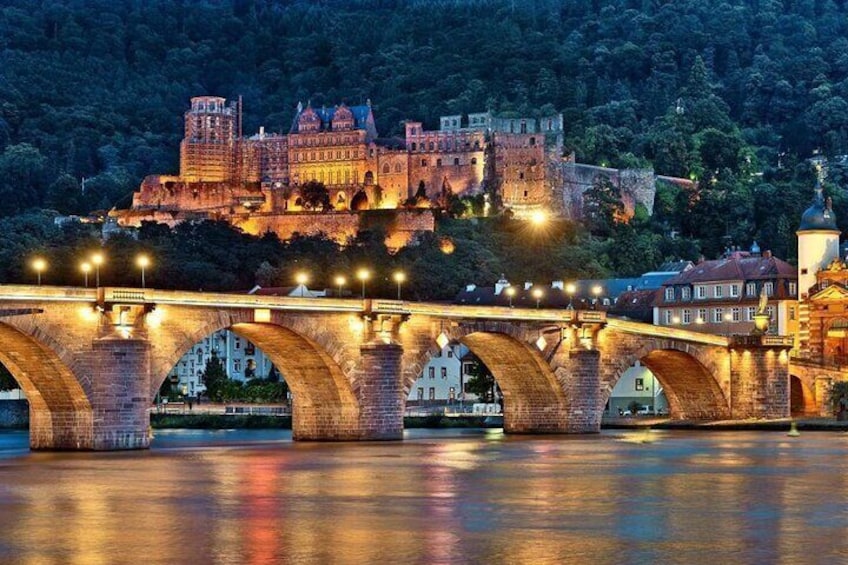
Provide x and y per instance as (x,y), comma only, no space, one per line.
(722,296)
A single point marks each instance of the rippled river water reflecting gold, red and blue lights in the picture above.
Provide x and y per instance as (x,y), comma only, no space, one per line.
(445,496)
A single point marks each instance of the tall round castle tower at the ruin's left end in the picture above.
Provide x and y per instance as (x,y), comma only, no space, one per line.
(207,151)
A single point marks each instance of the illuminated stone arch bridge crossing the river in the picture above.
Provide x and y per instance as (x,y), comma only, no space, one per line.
(92,360)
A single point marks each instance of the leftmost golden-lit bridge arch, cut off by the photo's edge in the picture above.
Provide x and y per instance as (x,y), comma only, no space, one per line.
(60,412)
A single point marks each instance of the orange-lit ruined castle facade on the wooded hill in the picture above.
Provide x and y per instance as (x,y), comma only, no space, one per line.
(224,173)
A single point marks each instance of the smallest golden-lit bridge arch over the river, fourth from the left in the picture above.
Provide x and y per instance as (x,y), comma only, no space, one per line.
(689,375)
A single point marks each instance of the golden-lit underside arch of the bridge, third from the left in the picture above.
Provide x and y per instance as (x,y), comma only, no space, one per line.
(533,399)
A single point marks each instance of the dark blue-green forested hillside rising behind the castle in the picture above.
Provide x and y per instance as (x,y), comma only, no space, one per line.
(735,94)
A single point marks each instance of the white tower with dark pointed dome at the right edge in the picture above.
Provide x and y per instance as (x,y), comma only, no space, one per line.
(818,241)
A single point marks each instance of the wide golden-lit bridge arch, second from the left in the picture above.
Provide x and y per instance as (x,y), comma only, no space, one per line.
(319,370)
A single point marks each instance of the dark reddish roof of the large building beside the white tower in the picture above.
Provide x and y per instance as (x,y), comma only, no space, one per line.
(736,268)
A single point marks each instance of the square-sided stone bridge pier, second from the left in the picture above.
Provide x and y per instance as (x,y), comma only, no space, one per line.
(381,399)
